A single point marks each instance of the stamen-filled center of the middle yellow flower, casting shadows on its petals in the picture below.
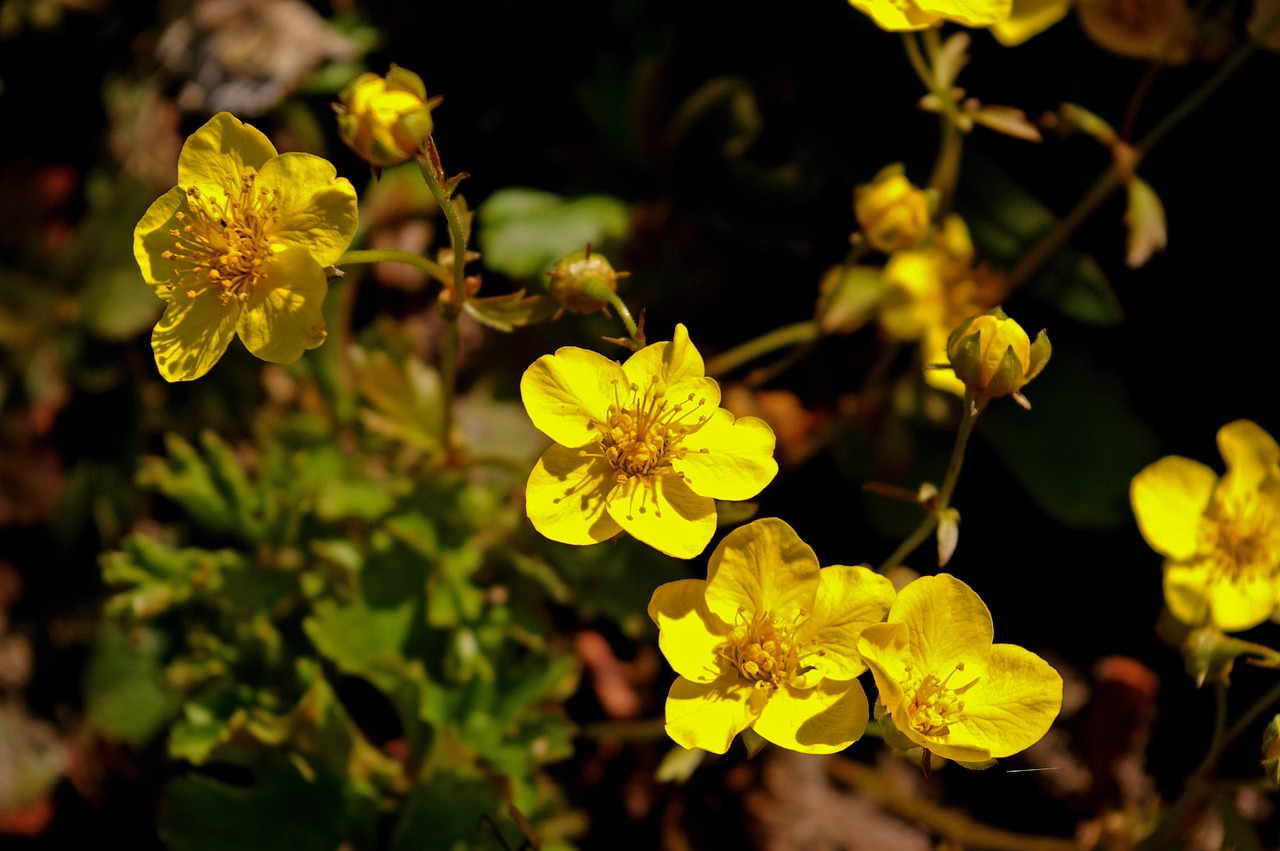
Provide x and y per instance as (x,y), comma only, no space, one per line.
(642,433)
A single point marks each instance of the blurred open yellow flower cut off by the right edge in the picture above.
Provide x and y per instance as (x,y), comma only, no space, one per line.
(1220,537)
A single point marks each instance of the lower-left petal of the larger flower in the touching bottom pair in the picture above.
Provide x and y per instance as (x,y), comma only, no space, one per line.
(710,715)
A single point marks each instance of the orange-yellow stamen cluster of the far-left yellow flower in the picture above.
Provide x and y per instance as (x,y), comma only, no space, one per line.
(223,245)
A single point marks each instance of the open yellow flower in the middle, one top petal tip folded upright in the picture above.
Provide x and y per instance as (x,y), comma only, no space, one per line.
(642,447)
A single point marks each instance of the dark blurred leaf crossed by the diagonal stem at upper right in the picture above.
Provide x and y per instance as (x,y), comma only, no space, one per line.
(1007,222)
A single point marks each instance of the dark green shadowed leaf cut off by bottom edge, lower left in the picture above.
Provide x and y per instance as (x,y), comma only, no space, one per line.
(278,811)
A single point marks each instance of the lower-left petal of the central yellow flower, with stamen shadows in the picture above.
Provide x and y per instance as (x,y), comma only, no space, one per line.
(566,497)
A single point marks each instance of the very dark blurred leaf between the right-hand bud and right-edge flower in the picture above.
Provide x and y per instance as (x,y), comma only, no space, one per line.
(1078,447)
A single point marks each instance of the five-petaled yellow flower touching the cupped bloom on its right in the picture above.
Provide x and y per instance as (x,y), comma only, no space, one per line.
(769,642)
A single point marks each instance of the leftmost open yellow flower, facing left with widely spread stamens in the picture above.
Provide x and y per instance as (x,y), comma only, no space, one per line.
(240,246)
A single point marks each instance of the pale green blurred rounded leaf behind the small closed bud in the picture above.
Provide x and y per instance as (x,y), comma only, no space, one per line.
(524,232)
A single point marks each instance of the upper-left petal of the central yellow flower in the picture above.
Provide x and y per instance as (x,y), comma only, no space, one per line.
(566,394)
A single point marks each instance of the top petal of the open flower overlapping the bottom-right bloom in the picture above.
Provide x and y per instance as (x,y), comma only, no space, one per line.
(762,568)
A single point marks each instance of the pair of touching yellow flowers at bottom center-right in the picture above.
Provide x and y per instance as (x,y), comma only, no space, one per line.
(772,643)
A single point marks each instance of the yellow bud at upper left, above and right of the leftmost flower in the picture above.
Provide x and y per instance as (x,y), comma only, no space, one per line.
(386,120)
